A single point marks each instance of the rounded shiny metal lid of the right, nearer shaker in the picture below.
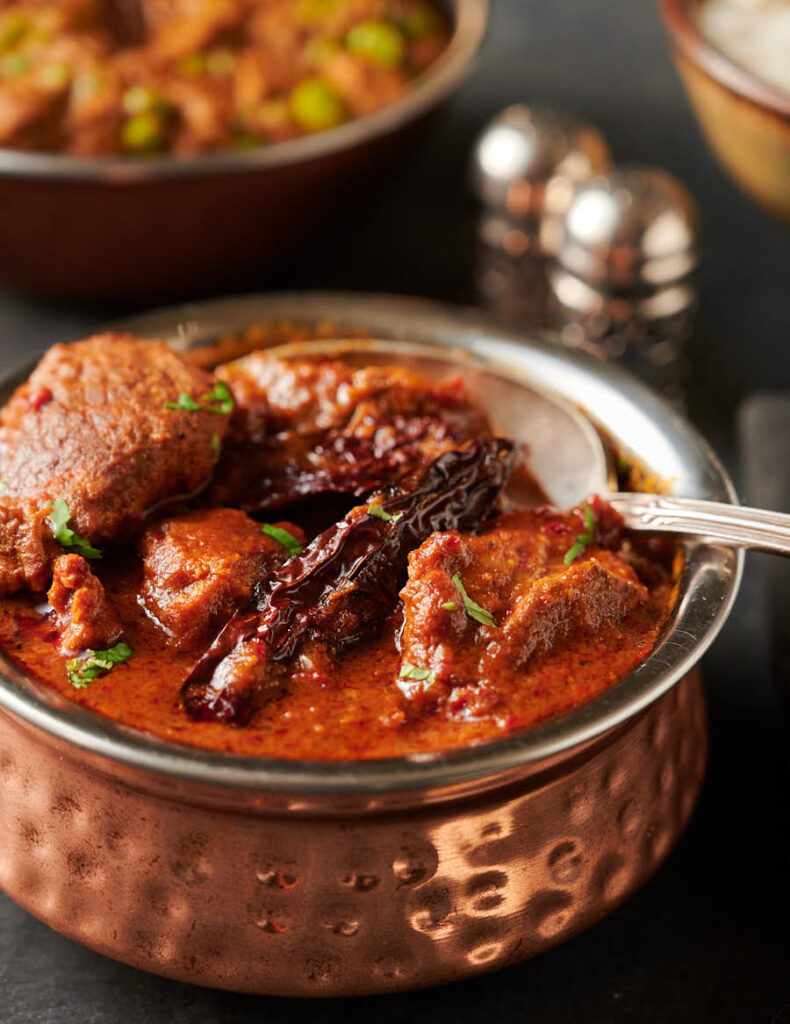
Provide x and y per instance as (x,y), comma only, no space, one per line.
(637,228)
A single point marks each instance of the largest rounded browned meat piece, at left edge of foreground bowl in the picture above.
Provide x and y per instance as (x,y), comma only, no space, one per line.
(93,429)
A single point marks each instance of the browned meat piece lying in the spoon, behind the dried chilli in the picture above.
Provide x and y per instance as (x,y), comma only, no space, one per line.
(305,428)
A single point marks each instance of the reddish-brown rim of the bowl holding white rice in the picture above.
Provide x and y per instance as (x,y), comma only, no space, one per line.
(687,36)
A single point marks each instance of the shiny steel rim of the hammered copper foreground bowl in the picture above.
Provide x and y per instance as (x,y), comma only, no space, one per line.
(710,590)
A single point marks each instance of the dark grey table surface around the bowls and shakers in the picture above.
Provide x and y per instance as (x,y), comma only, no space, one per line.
(709,938)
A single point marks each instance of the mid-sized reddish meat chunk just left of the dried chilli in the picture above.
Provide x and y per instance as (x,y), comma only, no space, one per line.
(199,569)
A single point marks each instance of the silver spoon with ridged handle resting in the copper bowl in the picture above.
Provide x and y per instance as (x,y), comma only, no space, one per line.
(567,454)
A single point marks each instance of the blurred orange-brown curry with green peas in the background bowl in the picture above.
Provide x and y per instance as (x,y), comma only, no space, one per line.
(206,74)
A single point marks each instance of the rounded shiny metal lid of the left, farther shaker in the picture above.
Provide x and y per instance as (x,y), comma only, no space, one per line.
(528,161)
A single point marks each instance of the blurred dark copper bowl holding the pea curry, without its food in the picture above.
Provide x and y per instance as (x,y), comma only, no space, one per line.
(111,229)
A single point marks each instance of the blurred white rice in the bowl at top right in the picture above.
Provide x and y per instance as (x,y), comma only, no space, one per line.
(755,34)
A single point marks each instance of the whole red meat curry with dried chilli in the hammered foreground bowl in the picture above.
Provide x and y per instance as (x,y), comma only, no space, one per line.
(302,559)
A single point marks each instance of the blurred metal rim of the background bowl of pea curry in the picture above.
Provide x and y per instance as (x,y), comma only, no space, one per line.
(437,83)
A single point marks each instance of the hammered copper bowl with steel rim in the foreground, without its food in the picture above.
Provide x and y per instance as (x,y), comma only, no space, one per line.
(309,879)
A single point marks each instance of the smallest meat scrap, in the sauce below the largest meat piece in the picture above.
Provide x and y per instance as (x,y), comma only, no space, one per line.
(86,618)
